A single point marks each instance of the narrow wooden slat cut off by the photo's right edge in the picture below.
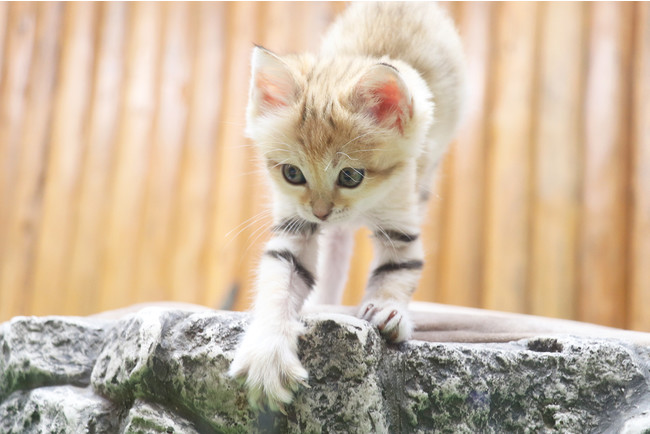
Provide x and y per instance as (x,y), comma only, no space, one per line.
(640,231)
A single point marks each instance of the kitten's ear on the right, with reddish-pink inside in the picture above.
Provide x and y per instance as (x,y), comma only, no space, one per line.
(382,93)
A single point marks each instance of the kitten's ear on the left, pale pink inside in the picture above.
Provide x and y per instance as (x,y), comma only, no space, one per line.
(272,83)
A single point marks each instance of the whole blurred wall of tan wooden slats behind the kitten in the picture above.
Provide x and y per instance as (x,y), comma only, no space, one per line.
(124,176)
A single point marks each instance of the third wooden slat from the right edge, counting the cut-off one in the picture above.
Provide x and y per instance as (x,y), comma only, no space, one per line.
(557,141)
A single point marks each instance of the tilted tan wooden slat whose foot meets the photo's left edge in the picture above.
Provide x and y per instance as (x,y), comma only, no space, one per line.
(24,212)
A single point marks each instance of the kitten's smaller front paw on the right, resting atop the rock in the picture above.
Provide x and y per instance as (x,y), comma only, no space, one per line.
(390,318)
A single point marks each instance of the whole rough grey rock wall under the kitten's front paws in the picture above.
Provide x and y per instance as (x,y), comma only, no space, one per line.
(164,371)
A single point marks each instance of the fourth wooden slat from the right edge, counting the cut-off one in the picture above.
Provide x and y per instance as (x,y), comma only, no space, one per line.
(509,153)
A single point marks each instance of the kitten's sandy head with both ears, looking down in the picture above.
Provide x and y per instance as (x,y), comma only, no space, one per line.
(335,135)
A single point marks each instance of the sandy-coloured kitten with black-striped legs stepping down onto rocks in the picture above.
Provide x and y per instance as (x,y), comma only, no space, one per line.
(350,137)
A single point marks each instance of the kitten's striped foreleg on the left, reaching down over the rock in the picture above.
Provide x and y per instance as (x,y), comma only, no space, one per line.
(267,356)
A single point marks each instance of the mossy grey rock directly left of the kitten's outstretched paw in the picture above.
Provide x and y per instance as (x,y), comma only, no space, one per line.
(177,358)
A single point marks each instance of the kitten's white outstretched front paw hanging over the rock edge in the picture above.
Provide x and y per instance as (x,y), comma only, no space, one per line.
(270,368)
